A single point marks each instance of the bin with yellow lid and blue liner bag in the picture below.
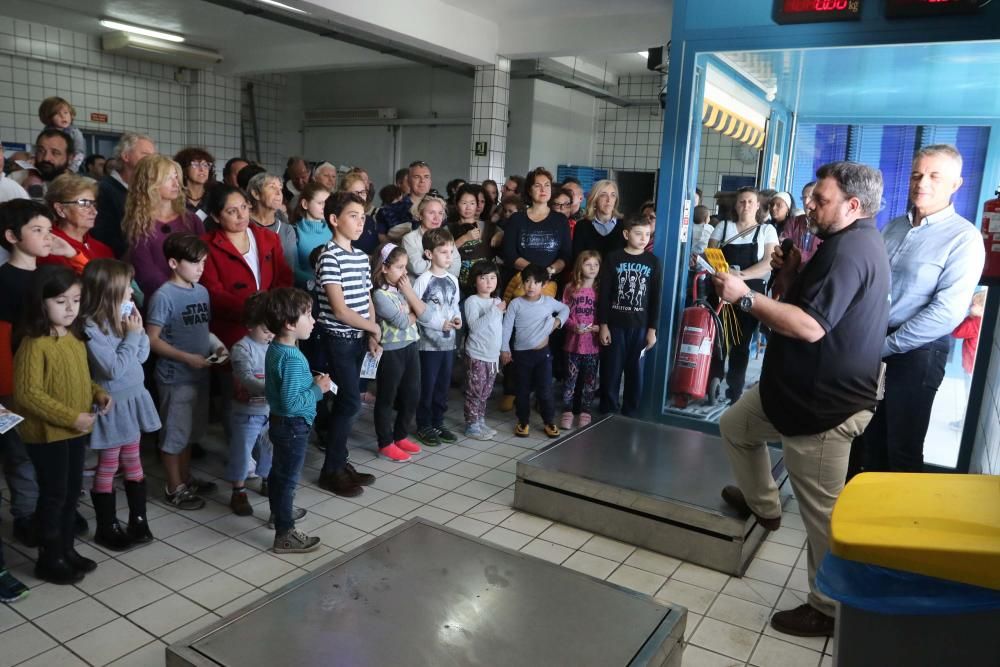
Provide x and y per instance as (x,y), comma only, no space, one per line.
(915,564)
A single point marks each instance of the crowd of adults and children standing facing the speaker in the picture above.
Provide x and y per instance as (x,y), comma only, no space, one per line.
(145,300)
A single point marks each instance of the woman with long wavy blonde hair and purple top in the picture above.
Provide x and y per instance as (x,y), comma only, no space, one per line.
(155,209)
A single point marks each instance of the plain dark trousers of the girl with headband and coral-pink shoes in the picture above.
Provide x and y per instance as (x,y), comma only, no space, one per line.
(398,387)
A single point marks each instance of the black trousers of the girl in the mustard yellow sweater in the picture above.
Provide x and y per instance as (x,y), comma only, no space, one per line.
(59,468)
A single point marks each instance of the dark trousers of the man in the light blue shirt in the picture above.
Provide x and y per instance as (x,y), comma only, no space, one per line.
(894,441)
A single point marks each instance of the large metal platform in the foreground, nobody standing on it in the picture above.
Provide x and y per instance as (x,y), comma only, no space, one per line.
(424,594)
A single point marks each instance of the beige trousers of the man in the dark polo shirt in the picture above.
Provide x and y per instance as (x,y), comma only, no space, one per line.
(816,464)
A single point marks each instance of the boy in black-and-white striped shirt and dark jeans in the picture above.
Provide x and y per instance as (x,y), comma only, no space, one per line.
(343,279)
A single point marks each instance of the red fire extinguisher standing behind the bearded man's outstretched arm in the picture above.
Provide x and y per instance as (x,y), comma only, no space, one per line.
(699,336)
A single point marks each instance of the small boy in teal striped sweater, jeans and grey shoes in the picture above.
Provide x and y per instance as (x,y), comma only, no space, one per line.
(292,393)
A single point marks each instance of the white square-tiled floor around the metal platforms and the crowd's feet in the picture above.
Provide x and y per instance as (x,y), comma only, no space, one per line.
(208,563)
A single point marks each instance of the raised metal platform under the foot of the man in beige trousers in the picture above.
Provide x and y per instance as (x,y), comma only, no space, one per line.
(645,484)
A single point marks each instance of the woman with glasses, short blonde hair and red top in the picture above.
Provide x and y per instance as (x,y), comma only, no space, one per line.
(73,199)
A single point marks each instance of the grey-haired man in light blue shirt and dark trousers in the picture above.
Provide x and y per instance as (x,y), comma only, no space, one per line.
(936,257)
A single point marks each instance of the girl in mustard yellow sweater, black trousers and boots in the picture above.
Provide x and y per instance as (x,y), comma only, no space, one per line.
(55,395)
